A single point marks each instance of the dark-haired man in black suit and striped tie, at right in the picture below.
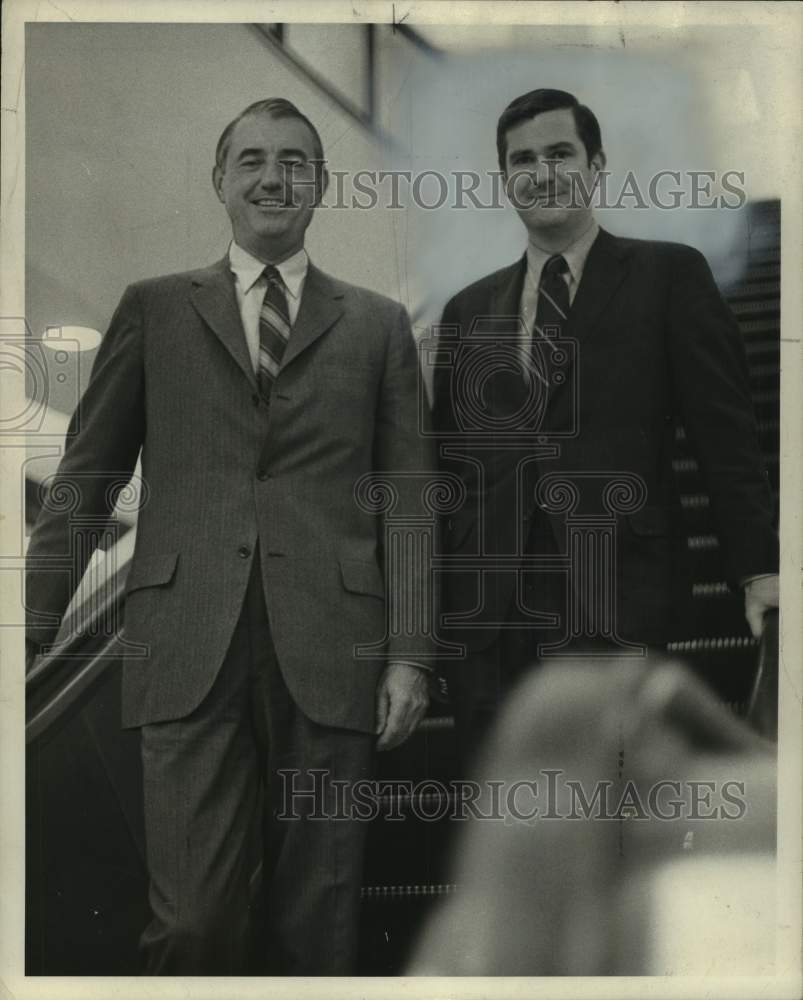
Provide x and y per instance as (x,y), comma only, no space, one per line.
(557,388)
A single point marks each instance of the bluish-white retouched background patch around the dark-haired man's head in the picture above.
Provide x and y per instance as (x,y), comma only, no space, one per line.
(700,102)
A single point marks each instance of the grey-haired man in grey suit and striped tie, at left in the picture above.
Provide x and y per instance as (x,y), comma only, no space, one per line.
(258,392)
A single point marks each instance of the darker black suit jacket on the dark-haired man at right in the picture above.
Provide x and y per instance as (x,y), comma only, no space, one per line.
(656,345)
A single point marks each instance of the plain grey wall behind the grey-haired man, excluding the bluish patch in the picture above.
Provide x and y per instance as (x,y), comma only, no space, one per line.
(122,122)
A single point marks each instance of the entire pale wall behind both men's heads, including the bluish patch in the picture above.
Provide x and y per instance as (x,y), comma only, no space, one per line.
(122,121)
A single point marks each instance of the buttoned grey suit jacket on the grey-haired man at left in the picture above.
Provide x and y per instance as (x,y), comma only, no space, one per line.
(224,472)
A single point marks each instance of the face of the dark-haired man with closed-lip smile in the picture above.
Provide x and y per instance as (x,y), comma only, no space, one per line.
(546,173)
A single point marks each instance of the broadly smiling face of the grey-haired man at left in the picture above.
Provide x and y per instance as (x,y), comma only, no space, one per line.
(270,185)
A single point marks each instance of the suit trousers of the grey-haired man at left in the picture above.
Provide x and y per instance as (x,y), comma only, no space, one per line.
(246,779)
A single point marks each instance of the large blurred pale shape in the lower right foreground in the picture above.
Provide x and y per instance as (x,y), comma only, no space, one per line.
(616,889)
